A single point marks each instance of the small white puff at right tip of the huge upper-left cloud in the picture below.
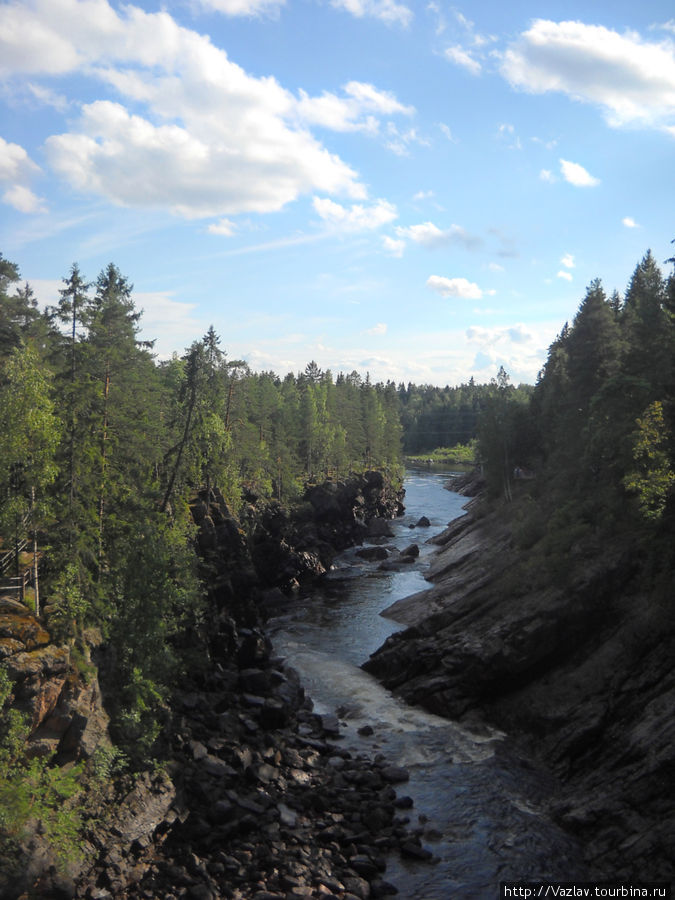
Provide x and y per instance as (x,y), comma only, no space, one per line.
(356,111)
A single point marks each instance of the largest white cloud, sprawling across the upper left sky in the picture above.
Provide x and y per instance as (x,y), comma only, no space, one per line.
(192,132)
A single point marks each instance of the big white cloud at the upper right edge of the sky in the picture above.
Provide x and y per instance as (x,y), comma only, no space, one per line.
(631,79)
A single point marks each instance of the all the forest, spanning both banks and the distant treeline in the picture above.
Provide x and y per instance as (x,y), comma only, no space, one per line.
(102,447)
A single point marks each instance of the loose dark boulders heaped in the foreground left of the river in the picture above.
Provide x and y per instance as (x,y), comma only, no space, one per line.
(262,802)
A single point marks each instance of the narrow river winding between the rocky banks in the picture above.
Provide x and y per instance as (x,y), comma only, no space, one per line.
(480,805)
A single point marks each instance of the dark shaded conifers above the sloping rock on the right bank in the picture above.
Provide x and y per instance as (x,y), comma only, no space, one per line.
(597,436)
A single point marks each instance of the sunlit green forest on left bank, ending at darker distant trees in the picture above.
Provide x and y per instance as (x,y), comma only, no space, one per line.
(102,447)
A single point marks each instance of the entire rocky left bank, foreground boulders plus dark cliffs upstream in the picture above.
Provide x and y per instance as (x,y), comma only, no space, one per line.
(255,797)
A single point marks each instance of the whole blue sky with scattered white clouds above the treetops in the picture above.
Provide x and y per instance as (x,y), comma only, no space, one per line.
(417,191)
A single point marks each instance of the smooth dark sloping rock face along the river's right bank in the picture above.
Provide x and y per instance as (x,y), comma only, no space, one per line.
(582,674)
